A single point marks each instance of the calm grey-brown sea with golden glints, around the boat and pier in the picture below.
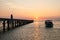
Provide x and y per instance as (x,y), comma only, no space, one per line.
(33,31)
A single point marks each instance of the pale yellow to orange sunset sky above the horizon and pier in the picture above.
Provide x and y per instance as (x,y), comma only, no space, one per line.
(30,9)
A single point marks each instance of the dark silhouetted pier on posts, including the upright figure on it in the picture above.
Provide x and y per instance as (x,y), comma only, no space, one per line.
(13,22)
